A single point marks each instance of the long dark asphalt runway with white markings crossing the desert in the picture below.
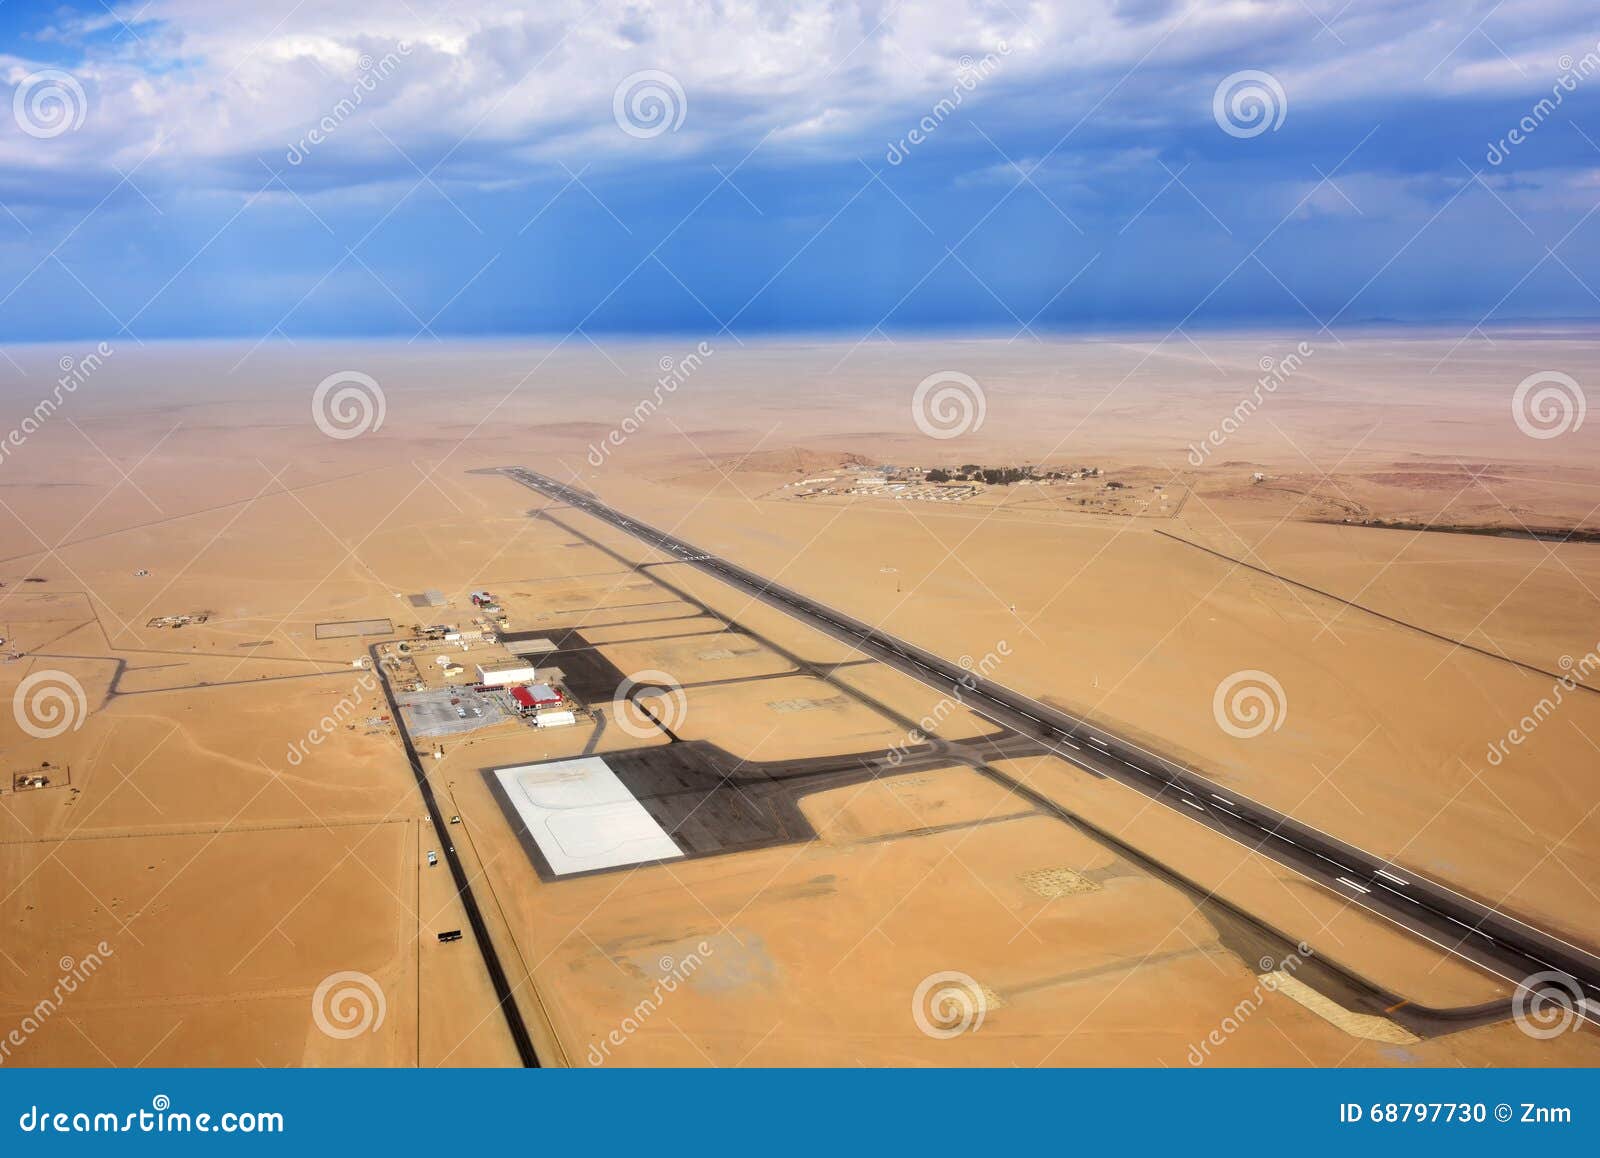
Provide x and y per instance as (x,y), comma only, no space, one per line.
(1463,927)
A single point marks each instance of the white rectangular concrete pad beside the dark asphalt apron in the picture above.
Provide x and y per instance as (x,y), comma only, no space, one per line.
(583,817)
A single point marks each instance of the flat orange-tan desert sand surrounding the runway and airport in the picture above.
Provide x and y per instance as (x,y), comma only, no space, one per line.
(231,877)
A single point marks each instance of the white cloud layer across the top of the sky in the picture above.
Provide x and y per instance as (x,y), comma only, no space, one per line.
(215,84)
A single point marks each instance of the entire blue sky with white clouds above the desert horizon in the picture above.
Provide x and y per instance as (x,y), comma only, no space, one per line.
(430,169)
